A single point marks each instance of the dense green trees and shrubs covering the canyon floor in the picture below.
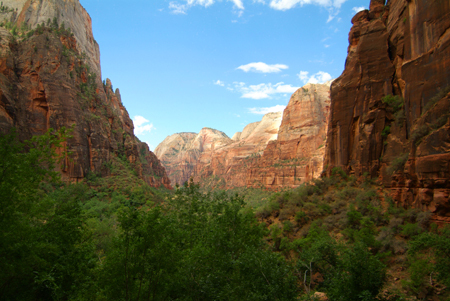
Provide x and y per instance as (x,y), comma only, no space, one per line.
(115,238)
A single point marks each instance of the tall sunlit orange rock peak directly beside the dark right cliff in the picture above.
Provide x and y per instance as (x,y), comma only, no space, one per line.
(296,156)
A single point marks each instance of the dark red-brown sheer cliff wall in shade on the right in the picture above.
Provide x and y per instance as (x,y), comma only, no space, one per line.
(403,49)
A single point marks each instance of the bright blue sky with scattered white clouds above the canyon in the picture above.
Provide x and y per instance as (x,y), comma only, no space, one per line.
(182,65)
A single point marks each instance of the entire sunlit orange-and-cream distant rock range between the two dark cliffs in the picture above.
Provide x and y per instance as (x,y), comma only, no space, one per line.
(282,150)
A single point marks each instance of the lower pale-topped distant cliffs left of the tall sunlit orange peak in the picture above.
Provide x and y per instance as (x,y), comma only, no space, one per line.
(213,153)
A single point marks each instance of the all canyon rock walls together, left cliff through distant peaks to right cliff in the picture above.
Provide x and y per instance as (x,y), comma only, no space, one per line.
(386,117)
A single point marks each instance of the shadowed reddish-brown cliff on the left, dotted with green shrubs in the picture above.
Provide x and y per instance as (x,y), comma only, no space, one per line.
(45,82)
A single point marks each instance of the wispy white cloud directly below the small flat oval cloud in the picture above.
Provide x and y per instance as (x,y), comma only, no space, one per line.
(262,91)
